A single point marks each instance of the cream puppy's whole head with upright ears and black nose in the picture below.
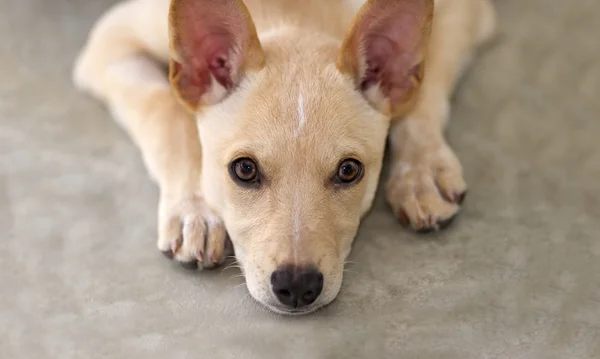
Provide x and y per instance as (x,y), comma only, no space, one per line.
(293,128)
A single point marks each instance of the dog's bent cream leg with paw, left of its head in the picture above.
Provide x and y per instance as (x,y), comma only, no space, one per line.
(119,65)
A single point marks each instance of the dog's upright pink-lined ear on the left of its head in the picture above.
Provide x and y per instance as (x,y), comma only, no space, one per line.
(213,43)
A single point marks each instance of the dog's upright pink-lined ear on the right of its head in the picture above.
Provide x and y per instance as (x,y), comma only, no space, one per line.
(384,51)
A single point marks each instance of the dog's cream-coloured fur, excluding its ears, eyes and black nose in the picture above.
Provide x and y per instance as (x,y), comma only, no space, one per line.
(298,113)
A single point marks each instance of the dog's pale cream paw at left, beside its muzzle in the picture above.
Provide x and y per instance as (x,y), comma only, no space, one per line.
(191,233)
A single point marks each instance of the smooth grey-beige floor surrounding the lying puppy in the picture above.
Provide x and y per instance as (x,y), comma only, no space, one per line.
(516,277)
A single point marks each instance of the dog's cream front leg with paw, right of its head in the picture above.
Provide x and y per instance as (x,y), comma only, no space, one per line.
(426,185)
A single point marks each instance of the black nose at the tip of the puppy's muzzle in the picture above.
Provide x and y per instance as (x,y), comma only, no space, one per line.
(297,287)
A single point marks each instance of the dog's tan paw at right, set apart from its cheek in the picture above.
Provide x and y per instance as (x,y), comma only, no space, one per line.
(426,188)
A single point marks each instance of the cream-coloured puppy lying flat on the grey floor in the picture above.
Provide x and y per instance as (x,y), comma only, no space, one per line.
(271,126)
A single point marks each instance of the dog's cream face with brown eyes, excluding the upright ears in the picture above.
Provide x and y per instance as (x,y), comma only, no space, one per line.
(292,160)
